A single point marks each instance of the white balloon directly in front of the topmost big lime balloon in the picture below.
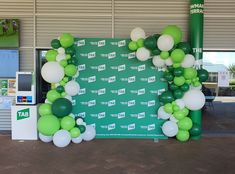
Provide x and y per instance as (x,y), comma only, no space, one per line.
(165,42)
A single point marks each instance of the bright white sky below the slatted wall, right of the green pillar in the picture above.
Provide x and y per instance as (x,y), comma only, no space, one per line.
(225,58)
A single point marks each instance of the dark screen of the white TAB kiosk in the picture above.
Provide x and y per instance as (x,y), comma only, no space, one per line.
(24,82)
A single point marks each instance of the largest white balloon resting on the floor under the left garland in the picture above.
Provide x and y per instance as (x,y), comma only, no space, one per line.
(61,138)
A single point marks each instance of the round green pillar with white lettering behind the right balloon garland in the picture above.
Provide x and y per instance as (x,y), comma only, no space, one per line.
(196,41)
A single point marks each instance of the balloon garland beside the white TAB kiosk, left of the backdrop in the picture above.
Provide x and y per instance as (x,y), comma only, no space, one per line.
(56,122)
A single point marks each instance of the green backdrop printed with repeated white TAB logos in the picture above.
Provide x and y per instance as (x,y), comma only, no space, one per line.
(119,94)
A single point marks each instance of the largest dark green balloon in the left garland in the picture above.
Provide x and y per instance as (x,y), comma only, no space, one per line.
(61,107)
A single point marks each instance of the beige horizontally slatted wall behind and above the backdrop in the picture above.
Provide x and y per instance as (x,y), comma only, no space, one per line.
(107,18)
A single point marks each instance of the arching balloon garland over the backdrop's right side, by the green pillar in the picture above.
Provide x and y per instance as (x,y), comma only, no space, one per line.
(169,53)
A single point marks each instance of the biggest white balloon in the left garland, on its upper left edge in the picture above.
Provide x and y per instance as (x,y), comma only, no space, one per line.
(52,72)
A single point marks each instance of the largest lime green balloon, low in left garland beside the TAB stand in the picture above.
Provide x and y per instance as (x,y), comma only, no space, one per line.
(48,125)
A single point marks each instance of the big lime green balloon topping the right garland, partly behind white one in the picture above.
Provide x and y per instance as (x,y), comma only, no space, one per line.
(173,31)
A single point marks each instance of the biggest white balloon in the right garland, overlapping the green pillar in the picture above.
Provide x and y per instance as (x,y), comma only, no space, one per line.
(194,99)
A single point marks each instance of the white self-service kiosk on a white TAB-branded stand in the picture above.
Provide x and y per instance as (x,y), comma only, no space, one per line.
(24,113)
